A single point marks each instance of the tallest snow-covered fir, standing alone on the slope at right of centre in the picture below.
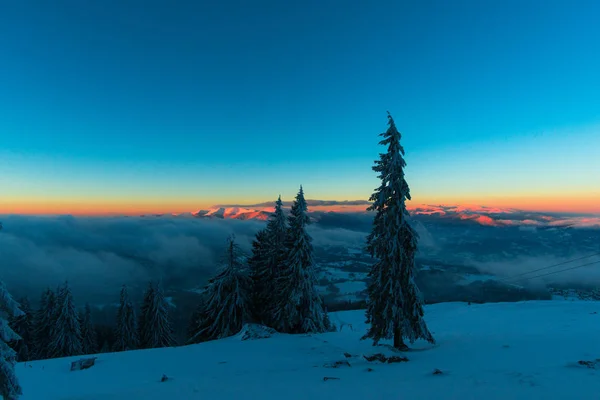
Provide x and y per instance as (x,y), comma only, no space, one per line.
(394,306)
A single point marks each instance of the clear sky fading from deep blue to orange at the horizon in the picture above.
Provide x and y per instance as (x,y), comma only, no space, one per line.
(154,106)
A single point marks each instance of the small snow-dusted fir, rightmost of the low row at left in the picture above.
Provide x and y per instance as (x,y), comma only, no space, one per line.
(154,323)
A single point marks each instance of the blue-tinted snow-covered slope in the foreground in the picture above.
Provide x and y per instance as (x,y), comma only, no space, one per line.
(527,350)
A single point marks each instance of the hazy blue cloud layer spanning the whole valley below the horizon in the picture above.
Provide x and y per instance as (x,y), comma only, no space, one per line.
(97,255)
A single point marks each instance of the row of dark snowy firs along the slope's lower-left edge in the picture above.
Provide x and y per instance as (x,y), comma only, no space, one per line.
(58,329)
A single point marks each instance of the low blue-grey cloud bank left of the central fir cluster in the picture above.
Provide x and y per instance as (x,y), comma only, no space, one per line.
(97,255)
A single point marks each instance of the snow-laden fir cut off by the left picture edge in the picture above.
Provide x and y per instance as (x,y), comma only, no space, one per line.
(9,384)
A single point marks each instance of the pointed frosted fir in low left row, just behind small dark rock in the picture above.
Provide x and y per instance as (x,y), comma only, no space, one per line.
(66,337)
